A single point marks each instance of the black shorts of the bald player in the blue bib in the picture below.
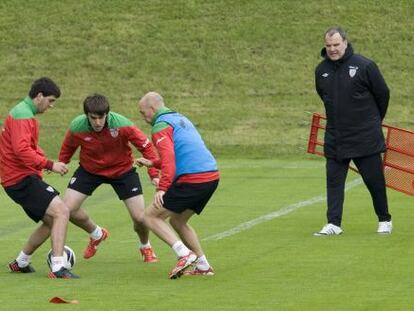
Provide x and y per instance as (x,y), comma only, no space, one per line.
(182,196)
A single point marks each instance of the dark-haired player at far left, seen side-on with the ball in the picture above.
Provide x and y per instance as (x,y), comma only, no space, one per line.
(21,164)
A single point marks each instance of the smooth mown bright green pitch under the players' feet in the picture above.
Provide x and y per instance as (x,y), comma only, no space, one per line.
(274,265)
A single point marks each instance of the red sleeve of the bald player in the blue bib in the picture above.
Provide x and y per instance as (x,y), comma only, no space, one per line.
(163,141)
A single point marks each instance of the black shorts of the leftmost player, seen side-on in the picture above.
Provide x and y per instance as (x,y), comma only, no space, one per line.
(34,195)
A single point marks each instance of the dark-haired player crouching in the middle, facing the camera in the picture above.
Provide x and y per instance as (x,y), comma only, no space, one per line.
(104,139)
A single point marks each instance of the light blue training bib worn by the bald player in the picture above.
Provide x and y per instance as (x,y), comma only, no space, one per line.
(191,154)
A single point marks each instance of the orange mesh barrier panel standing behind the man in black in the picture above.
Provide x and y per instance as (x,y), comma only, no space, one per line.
(398,158)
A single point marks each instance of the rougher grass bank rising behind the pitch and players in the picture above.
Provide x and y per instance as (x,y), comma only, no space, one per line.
(242,70)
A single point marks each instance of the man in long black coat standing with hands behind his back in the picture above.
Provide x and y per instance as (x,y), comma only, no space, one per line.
(356,98)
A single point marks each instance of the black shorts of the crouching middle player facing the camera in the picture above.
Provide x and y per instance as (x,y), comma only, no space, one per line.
(126,186)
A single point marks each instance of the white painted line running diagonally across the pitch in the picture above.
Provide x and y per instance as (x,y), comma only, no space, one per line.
(283,211)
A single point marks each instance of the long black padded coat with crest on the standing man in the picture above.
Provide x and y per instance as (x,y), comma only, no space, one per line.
(356,98)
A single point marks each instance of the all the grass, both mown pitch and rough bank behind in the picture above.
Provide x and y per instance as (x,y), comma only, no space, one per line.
(243,71)
